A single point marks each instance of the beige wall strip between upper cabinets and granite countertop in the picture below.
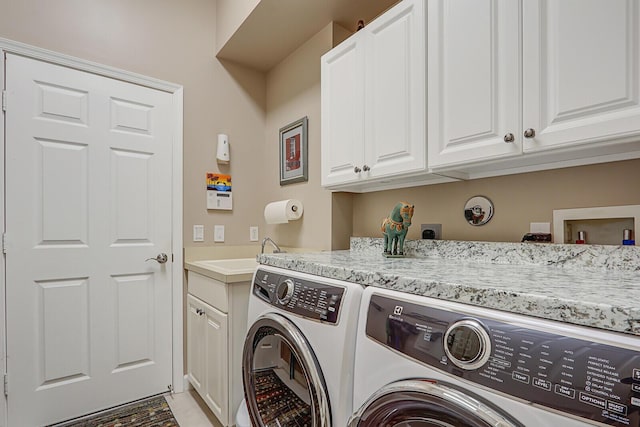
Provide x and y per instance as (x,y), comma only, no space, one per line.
(518,200)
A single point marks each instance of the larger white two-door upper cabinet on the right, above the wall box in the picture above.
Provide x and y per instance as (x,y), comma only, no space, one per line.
(530,85)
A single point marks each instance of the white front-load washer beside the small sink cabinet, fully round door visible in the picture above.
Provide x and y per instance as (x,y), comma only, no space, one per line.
(298,356)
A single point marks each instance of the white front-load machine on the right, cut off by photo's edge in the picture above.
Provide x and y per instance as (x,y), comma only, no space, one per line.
(427,362)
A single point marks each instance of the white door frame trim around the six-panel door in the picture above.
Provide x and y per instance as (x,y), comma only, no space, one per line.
(177,91)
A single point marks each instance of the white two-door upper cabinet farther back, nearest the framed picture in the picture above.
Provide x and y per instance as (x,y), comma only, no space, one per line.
(374,102)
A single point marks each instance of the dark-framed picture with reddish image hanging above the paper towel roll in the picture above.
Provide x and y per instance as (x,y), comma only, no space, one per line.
(294,152)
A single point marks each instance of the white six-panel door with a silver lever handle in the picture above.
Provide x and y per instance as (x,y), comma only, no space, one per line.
(88,199)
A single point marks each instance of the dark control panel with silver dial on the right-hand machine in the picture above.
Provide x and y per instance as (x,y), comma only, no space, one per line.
(587,379)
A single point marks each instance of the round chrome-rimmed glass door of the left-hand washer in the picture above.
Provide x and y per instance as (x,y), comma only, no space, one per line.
(283,383)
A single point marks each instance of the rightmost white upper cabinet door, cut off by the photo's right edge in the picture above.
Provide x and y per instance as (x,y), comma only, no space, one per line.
(581,71)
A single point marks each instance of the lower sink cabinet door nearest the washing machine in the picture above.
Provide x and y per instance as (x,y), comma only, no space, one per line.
(216,353)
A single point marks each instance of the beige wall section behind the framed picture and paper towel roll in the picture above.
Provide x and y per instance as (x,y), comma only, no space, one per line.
(293,91)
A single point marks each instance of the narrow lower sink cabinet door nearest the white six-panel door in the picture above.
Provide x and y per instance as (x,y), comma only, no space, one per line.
(195,343)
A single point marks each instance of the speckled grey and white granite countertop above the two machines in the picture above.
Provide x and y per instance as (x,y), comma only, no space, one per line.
(588,285)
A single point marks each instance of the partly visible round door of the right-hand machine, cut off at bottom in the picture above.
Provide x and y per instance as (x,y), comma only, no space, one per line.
(427,403)
